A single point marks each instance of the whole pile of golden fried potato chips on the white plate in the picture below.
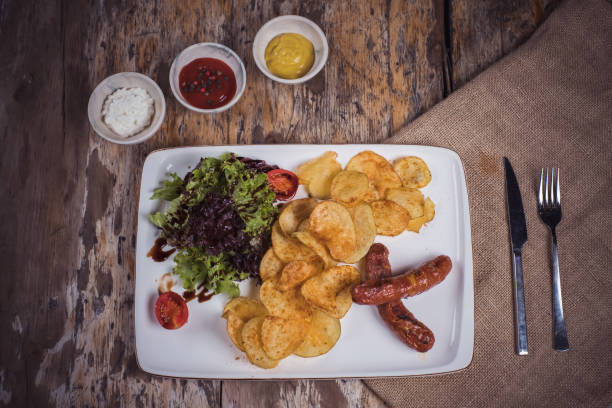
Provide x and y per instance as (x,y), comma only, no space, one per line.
(305,292)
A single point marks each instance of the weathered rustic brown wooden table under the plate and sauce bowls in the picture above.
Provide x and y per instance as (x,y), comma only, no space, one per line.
(69,199)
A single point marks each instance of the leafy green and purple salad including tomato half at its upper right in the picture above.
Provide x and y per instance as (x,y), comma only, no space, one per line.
(219,218)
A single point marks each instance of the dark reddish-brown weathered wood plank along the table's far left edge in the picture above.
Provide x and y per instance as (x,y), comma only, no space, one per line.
(37,166)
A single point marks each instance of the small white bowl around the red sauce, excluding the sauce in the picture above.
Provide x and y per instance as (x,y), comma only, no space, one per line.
(208,50)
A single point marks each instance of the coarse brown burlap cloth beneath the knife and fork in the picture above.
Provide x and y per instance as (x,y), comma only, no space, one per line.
(547,104)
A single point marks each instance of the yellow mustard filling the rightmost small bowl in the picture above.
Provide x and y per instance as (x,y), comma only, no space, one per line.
(289,56)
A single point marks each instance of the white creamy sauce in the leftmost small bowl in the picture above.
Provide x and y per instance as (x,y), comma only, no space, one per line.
(127,111)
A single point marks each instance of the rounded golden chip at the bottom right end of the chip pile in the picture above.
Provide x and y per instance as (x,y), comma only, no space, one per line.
(323,333)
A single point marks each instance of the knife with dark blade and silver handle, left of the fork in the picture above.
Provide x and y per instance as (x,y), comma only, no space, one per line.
(518,236)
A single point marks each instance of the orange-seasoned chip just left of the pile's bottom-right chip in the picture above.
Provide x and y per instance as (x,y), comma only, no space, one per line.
(280,337)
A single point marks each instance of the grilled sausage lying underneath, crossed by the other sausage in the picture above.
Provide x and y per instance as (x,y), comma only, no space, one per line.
(399,319)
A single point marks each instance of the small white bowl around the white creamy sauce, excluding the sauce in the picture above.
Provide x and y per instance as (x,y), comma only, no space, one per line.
(110,85)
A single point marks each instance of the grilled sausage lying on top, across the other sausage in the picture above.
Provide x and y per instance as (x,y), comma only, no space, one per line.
(407,284)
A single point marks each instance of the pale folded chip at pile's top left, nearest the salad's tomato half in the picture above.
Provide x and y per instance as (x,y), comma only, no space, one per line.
(317,174)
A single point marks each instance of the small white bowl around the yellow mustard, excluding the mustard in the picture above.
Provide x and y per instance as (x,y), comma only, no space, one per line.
(290,24)
